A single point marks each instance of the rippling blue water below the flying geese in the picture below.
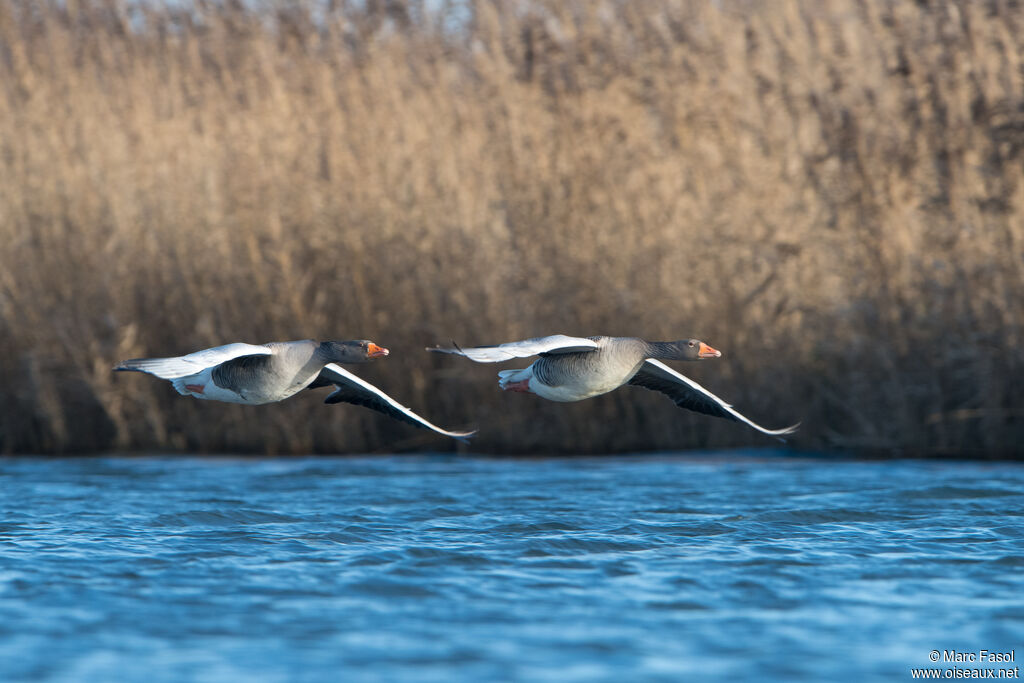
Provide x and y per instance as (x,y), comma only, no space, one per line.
(715,567)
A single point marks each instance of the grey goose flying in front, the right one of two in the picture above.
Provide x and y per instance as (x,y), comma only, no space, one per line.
(577,368)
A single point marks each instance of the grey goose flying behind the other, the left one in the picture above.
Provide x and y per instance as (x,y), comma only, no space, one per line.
(257,374)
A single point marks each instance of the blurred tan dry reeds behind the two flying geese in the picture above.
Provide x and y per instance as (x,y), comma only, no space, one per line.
(831,192)
